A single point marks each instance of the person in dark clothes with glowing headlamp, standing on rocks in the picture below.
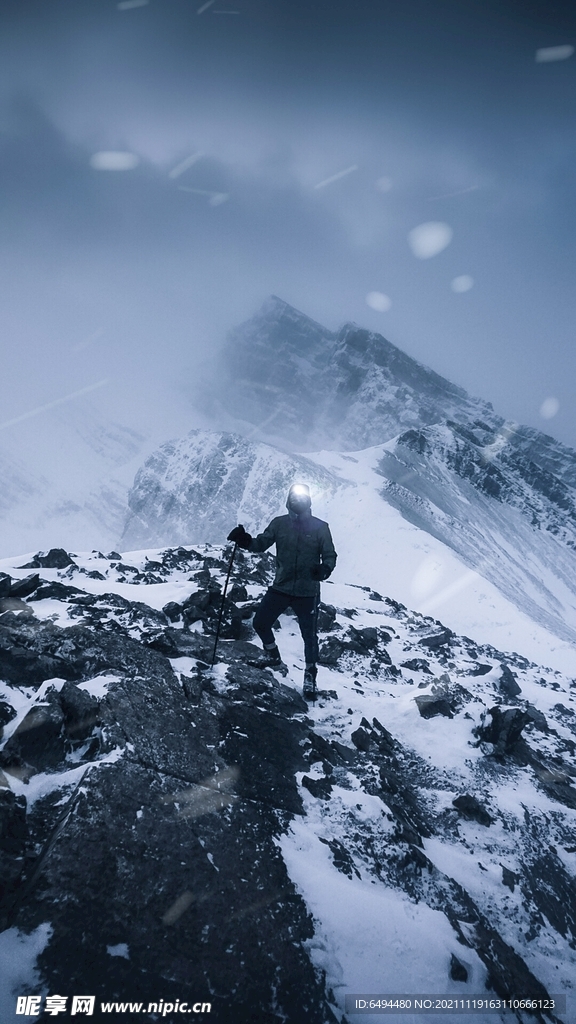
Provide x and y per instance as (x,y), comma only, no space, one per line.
(305,557)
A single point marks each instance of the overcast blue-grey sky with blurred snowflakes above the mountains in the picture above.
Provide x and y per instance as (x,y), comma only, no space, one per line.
(322,134)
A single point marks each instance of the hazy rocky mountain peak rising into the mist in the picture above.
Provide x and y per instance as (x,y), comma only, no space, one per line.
(297,385)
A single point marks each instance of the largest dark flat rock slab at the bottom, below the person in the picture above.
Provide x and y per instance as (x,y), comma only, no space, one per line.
(180,864)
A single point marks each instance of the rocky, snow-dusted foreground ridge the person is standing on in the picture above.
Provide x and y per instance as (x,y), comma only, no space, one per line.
(176,833)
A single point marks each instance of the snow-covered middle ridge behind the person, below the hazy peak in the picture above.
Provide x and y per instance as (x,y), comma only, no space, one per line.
(197,489)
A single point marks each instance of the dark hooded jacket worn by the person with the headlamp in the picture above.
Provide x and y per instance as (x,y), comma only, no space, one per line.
(302,542)
